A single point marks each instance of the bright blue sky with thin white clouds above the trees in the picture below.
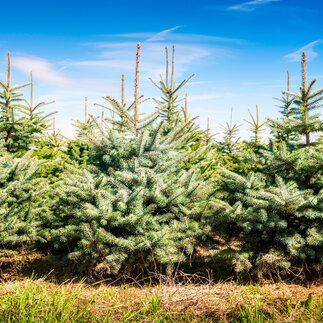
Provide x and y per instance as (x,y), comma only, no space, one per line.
(239,51)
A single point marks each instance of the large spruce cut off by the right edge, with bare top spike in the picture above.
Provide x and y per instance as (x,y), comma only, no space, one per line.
(273,217)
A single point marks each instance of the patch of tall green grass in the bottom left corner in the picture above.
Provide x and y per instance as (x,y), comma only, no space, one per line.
(37,302)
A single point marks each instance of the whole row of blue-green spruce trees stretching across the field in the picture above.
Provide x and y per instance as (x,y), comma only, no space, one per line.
(136,191)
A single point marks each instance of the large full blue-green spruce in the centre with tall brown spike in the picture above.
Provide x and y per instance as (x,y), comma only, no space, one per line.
(135,204)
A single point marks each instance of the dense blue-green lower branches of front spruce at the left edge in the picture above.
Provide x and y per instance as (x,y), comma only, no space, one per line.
(23,201)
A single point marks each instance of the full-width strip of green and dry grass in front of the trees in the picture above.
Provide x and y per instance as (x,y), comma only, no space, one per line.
(38,300)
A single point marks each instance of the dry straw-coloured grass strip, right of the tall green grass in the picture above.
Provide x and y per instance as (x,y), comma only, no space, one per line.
(201,300)
